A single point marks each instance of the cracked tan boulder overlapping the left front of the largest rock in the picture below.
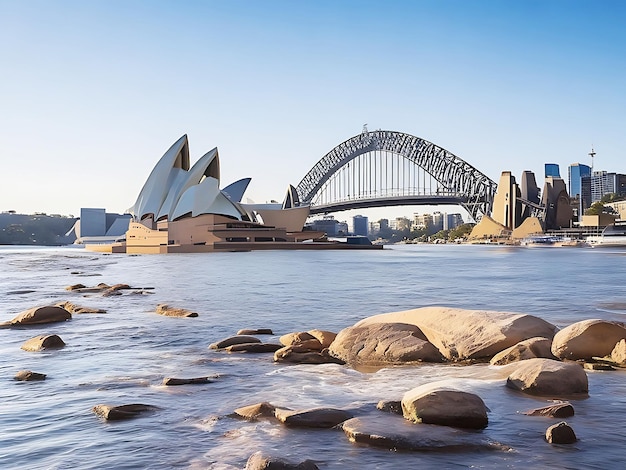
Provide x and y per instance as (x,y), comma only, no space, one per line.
(377,344)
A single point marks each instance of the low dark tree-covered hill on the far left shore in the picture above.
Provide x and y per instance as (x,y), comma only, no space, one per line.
(35,229)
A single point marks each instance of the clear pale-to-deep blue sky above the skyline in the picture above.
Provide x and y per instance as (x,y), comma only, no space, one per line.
(92,93)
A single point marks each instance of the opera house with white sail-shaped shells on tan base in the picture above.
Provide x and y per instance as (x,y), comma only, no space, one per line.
(181,209)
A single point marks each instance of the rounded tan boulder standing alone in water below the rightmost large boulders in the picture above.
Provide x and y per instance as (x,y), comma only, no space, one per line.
(546,377)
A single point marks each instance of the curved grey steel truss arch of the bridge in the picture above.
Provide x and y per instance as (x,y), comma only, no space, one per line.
(461,182)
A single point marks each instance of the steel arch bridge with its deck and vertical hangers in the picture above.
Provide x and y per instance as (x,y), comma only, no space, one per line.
(384,168)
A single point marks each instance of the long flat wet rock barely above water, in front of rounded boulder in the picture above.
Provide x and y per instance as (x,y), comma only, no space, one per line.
(393,433)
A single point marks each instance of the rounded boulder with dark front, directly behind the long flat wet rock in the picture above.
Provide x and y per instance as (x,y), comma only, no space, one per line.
(431,404)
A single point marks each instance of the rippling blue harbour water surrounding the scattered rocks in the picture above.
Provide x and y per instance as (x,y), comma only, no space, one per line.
(122,356)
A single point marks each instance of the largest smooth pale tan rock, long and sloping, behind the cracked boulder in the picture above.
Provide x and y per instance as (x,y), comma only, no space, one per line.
(469,334)
